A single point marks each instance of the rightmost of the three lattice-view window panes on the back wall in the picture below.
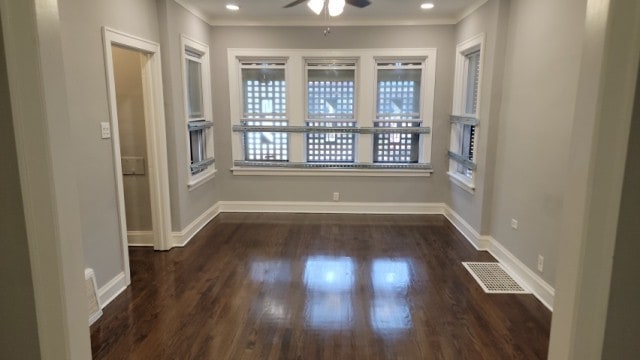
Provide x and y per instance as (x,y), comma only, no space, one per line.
(398,105)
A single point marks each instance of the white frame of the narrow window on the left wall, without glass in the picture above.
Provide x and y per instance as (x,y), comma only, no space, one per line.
(189,45)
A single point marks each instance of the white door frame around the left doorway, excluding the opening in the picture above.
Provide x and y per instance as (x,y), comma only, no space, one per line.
(156,139)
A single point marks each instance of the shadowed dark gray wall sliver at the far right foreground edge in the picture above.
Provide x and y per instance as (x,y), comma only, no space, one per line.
(622,330)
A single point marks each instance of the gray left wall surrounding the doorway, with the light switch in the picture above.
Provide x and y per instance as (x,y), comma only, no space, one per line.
(160,21)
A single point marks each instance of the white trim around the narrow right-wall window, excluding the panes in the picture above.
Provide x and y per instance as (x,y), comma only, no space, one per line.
(462,50)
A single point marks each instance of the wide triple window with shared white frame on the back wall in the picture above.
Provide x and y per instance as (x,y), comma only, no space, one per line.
(364,112)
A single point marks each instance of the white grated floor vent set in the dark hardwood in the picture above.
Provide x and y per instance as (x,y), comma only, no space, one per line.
(493,278)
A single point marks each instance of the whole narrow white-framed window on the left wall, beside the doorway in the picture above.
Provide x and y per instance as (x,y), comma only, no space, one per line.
(197,100)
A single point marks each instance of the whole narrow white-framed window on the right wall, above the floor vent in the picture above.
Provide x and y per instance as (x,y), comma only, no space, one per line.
(464,120)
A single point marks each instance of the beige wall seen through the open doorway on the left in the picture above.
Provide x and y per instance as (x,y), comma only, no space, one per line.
(133,140)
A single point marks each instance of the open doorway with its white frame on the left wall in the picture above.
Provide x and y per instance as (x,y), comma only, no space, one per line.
(139,142)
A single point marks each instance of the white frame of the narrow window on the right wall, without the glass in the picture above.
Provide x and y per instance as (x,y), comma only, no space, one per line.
(463,50)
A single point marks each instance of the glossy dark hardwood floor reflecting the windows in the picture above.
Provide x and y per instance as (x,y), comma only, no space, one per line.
(310,286)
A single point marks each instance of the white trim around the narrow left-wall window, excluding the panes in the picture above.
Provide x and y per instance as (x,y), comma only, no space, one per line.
(195,181)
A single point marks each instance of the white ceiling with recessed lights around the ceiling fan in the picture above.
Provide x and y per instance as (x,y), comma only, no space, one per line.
(380,12)
